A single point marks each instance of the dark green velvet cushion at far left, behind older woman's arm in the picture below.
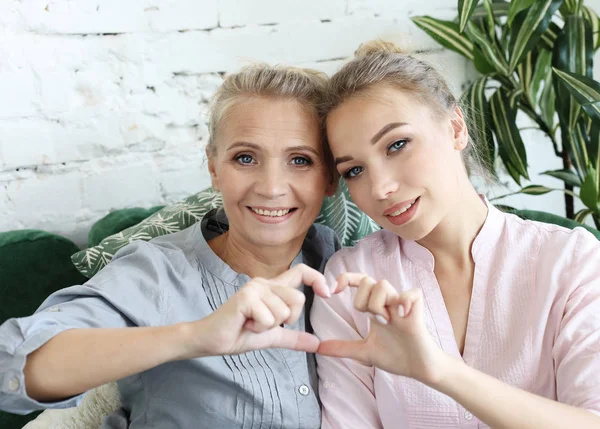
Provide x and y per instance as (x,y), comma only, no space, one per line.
(33,264)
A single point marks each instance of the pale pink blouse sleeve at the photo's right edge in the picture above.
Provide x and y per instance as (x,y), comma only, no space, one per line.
(576,351)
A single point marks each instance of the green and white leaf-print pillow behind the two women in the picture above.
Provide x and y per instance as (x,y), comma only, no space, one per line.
(338,212)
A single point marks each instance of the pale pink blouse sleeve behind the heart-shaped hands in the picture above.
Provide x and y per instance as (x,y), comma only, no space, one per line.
(346,387)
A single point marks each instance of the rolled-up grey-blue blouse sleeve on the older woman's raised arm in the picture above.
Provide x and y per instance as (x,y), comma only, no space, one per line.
(127,292)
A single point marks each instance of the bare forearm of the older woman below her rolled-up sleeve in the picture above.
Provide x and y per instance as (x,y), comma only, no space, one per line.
(80,359)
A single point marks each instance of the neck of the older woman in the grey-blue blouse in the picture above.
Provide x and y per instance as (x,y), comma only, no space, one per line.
(254,261)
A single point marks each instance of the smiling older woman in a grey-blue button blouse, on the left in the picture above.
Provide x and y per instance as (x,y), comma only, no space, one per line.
(187,322)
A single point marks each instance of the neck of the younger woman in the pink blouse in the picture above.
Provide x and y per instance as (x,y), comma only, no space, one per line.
(451,241)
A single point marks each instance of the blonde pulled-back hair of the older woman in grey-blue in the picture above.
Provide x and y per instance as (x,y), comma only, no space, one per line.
(305,86)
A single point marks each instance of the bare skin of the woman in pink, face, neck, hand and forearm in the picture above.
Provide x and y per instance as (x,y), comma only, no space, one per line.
(423,159)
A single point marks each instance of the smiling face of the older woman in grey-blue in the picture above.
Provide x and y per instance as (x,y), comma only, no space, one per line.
(269,168)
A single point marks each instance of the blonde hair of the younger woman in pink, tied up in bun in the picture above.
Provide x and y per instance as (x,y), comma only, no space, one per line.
(383,63)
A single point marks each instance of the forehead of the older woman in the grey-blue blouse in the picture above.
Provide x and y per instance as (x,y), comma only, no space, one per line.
(271,120)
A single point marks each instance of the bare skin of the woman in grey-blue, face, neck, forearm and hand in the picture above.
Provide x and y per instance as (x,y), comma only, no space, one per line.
(279,164)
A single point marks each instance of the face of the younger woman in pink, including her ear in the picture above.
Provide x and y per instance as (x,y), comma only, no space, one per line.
(401,162)
